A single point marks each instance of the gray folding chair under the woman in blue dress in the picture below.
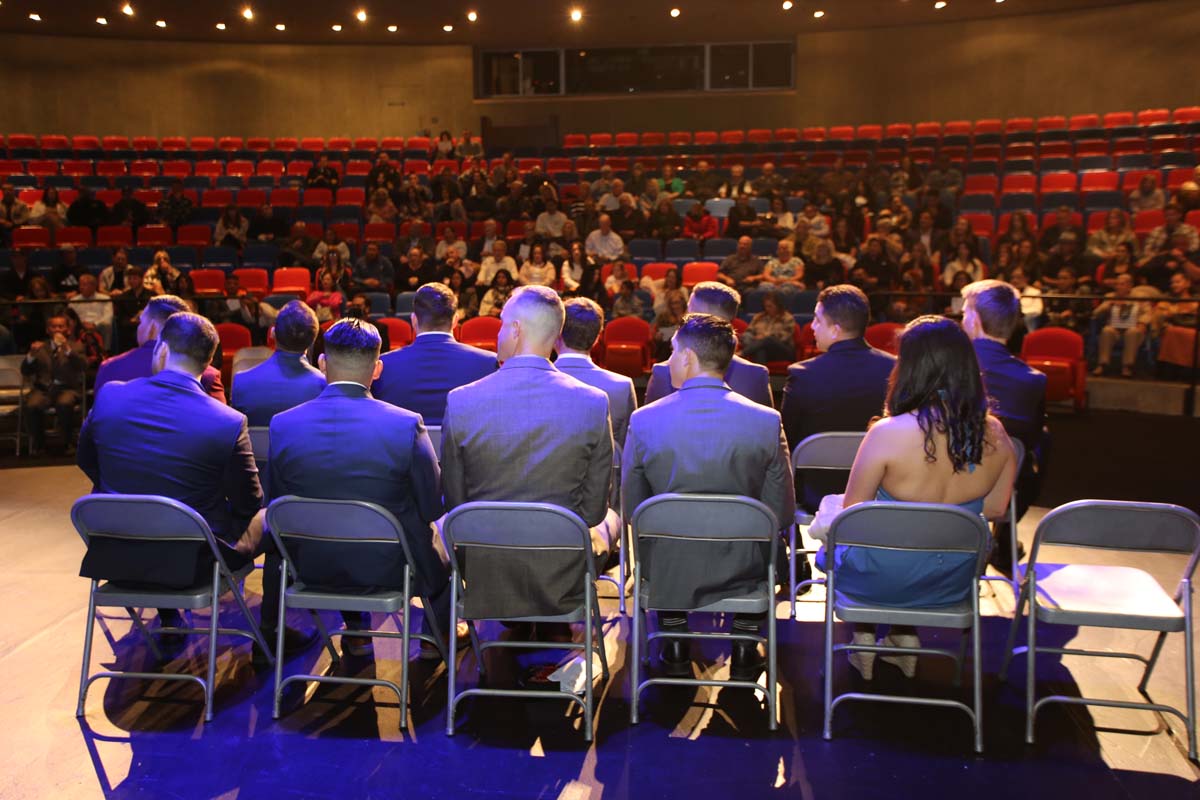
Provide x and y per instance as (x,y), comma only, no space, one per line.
(913,527)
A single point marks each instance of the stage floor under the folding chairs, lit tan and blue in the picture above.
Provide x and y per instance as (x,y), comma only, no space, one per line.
(346,742)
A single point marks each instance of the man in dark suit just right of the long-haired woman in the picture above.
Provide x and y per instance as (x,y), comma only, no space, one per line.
(992,312)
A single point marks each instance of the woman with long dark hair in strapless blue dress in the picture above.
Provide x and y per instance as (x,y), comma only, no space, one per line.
(937,443)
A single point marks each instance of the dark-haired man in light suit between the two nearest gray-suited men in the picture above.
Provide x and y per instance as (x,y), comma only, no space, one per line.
(581,329)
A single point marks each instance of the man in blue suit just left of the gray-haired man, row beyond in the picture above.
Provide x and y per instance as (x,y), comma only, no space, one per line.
(419,377)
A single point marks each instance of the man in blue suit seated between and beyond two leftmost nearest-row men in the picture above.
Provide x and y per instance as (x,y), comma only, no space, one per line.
(286,380)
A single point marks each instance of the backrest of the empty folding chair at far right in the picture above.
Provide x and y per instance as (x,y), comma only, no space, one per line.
(1124,526)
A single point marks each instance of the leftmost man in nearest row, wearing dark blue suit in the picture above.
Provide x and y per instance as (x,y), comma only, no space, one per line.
(164,436)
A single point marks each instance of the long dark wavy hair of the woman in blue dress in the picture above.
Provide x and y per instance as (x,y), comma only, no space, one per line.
(938,377)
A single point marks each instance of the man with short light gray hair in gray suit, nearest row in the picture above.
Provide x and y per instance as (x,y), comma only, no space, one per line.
(530,434)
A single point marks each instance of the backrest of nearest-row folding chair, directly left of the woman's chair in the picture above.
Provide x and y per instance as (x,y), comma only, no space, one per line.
(705,518)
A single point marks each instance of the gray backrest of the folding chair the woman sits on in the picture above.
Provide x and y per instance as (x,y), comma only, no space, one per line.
(913,527)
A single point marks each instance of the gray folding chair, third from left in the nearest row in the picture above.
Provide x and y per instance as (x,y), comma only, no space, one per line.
(523,527)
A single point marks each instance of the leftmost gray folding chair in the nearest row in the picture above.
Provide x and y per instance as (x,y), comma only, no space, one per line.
(148,519)
